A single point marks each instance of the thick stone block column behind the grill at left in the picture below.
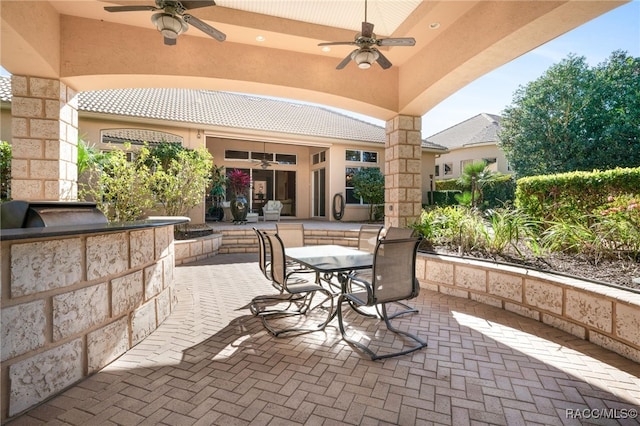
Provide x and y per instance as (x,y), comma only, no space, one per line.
(44,127)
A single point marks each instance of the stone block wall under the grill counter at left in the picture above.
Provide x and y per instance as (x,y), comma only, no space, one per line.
(73,304)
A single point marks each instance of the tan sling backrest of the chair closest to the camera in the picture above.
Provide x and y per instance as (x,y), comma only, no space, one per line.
(394,270)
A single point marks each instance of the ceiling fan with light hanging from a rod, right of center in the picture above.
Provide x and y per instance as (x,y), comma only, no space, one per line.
(366,40)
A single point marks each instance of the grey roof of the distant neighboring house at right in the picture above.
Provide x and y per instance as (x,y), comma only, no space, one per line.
(482,128)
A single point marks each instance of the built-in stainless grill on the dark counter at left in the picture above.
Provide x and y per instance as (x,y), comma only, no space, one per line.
(39,214)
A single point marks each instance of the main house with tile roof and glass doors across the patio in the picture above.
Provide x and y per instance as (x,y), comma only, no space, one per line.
(313,150)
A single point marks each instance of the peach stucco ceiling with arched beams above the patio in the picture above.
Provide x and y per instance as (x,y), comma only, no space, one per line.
(89,48)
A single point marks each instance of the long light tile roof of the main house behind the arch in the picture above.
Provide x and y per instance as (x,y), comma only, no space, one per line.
(226,109)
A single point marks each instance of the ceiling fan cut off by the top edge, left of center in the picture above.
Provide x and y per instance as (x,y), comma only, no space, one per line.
(173,20)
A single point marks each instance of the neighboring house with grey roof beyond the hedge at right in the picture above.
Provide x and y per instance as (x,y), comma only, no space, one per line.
(472,140)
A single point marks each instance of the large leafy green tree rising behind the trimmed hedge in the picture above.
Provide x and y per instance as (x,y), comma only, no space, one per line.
(575,118)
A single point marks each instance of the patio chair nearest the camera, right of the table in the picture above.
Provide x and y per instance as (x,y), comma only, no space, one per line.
(393,279)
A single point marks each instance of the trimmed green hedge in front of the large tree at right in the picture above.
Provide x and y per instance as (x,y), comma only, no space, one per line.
(566,195)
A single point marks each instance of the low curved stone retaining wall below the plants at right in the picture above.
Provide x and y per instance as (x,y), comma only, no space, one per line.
(606,316)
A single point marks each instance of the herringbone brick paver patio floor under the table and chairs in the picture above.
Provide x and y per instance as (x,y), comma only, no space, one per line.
(212,363)
